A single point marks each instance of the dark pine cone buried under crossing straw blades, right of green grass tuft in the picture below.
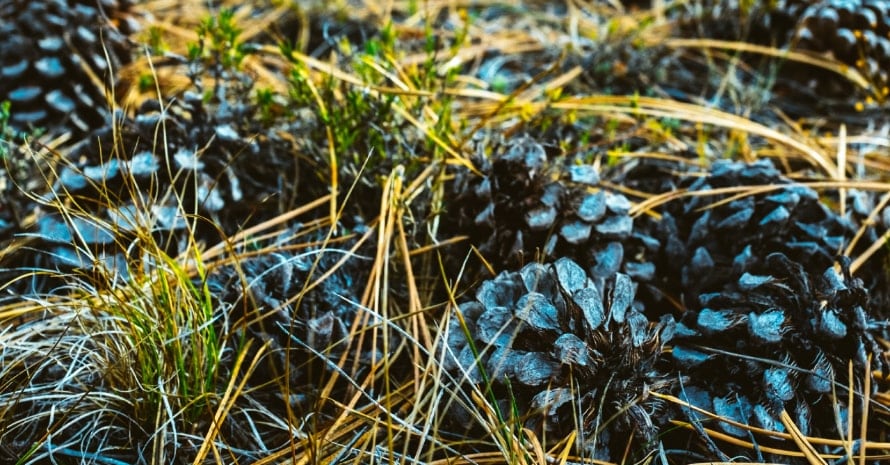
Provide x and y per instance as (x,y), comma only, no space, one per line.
(310,331)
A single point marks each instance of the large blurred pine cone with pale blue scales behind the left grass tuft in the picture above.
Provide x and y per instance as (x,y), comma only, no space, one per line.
(160,169)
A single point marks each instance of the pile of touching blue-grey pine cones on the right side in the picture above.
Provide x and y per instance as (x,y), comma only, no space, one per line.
(748,309)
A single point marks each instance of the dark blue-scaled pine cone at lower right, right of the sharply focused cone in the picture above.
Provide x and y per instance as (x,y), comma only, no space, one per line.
(780,339)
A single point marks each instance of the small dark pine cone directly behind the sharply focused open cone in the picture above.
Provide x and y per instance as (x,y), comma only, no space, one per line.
(525,207)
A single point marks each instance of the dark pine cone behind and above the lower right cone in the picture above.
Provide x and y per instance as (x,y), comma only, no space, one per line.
(707,242)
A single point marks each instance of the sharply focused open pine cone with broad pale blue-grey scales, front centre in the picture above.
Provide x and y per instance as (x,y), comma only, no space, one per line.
(549,335)
